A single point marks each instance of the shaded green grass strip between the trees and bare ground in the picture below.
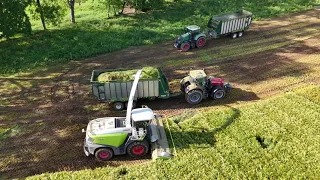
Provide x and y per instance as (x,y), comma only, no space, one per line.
(95,34)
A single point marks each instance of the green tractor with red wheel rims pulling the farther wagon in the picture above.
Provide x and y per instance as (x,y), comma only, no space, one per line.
(193,37)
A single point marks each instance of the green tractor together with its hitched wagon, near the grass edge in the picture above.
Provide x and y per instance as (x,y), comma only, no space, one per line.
(233,24)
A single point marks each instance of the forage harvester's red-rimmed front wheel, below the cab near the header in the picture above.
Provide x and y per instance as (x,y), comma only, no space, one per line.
(138,149)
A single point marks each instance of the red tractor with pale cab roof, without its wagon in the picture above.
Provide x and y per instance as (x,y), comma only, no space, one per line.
(198,86)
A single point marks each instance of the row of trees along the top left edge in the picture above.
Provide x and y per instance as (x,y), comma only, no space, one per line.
(15,14)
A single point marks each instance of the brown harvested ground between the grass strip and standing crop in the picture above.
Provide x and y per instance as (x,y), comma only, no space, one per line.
(48,109)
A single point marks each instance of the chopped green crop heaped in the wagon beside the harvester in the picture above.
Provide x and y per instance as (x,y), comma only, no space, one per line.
(147,73)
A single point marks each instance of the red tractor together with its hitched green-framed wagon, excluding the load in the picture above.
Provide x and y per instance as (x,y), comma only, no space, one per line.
(195,87)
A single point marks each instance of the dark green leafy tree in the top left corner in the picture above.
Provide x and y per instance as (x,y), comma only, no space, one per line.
(13,18)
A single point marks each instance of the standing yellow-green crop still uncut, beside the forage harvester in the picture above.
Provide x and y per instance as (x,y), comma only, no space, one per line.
(274,139)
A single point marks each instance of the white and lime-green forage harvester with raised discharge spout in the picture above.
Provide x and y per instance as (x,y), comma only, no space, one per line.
(136,134)
